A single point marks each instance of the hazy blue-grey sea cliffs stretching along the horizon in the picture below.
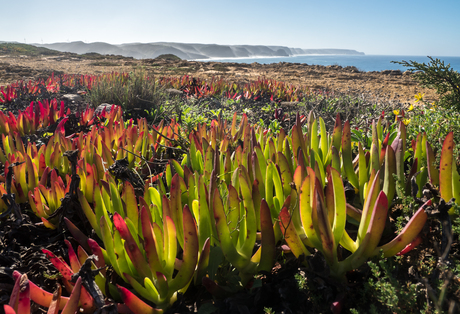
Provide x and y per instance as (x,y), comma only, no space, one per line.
(189,51)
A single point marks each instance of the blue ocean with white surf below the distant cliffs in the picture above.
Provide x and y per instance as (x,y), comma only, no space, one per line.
(362,62)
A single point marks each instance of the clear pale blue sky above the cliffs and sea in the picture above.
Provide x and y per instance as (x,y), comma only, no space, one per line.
(382,27)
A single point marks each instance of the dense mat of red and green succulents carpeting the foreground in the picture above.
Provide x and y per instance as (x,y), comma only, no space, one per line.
(150,217)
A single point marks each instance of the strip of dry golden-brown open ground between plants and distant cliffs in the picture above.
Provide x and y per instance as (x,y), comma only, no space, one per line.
(389,85)
